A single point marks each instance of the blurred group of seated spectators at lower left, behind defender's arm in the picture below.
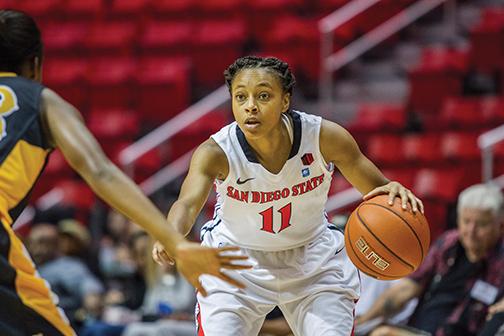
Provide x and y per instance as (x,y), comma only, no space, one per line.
(109,285)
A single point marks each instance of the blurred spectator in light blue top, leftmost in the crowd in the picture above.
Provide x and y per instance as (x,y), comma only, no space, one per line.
(69,277)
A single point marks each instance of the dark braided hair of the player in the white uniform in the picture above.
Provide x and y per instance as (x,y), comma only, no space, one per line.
(273,64)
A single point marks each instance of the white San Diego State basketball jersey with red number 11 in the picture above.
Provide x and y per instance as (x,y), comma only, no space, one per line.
(259,210)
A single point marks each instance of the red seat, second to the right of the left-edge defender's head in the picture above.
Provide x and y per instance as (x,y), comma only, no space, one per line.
(112,38)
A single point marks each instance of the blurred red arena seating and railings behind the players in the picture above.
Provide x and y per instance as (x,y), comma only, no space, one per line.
(418,83)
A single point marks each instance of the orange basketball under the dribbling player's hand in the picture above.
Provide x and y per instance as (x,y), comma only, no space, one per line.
(384,241)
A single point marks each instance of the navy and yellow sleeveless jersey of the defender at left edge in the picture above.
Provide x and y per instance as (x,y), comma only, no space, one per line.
(24,148)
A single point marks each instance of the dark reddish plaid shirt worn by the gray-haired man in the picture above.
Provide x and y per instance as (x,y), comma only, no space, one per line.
(439,261)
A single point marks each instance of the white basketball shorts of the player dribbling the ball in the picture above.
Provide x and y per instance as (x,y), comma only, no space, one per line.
(316,287)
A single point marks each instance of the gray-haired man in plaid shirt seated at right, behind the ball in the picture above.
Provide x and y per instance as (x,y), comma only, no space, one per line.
(461,277)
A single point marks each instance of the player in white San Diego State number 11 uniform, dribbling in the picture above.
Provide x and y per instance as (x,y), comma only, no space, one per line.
(272,170)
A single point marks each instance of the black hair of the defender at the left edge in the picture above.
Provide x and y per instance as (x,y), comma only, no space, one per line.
(19,40)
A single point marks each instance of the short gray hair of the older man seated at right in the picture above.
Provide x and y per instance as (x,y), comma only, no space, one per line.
(482,196)
